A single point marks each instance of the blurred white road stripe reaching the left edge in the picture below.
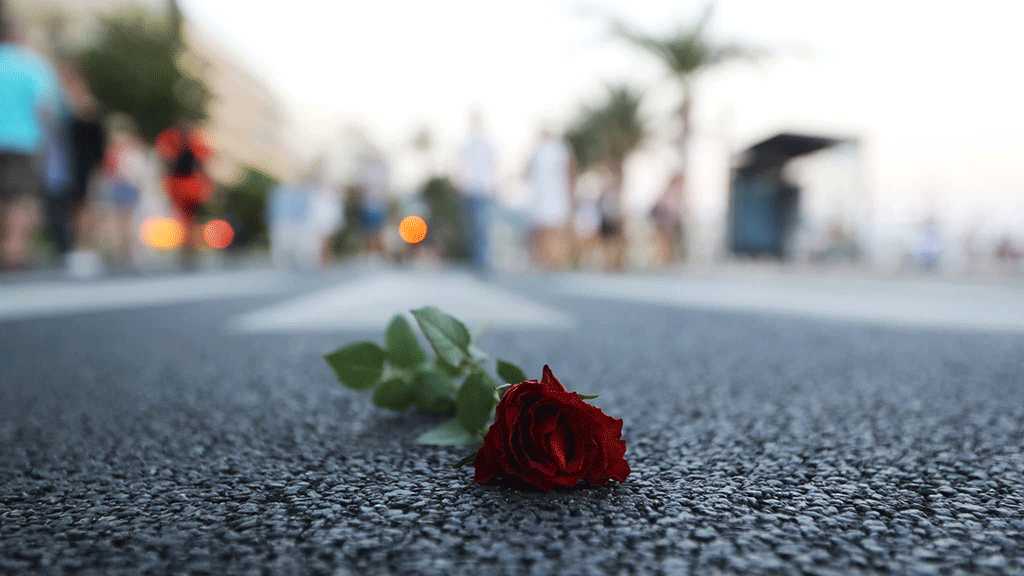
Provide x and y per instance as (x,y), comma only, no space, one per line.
(36,300)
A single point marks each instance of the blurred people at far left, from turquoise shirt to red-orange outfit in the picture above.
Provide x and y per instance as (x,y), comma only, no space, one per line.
(77,175)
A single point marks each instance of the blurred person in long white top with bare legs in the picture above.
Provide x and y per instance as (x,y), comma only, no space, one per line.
(551,177)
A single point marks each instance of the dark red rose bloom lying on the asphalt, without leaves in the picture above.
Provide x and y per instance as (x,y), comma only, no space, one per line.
(547,437)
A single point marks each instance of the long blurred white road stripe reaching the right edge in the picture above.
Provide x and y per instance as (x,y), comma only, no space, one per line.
(926,303)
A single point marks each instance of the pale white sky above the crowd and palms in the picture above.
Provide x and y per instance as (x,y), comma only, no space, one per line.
(932,90)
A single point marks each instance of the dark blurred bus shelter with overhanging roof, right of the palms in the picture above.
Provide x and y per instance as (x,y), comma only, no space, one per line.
(763,204)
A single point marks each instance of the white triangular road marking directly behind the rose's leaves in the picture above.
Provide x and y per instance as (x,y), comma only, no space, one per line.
(370,303)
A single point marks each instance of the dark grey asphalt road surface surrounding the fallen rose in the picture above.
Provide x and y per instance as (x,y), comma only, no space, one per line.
(162,428)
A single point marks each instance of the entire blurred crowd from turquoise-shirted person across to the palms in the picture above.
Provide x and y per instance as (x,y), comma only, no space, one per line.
(81,188)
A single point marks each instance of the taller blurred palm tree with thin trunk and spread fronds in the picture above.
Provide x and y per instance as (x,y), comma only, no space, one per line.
(686,54)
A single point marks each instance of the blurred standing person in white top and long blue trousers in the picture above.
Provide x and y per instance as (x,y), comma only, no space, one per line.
(477,178)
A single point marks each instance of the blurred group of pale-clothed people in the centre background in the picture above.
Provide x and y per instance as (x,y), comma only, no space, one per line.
(571,219)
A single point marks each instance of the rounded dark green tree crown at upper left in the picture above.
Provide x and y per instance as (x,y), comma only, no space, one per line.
(135,67)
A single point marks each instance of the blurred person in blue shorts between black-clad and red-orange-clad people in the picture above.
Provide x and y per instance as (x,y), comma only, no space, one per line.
(125,171)
